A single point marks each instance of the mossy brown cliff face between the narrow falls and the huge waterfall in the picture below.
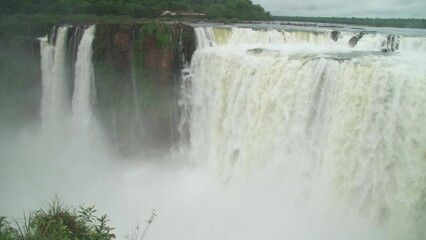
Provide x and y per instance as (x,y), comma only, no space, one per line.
(137,71)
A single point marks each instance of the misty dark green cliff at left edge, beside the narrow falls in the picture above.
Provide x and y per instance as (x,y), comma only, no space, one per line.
(20,78)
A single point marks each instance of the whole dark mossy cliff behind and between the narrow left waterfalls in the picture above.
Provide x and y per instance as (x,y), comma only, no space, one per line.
(137,73)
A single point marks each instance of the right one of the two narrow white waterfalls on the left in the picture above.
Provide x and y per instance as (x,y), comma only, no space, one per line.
(84,86)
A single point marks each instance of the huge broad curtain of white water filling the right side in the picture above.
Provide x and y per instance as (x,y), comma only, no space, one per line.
(350,118)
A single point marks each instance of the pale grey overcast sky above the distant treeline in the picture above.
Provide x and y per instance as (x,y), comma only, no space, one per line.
(346,8)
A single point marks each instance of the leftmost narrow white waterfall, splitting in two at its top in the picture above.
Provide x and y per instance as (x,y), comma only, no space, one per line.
(55,101)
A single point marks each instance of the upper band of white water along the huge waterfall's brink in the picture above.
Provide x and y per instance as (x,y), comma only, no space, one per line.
(307,41)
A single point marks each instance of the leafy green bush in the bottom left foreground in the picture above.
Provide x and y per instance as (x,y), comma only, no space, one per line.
(58,222)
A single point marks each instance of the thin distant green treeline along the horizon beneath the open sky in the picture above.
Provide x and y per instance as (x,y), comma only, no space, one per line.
(374,22)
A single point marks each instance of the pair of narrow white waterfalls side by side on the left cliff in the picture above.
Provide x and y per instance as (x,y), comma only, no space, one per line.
(58,107)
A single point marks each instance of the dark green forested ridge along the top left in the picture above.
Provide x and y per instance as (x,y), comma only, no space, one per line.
(215,9)
